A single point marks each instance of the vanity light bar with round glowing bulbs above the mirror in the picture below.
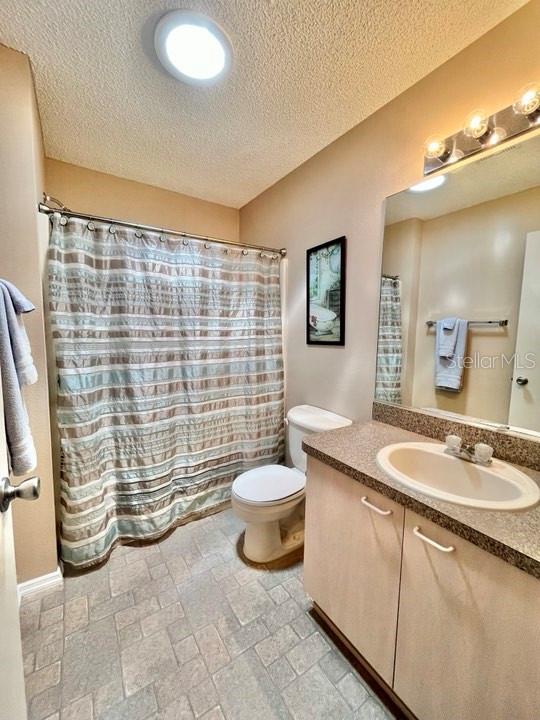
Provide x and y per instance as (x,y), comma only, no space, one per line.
(482,131)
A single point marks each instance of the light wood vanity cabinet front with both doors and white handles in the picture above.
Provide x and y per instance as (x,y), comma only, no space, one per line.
(454,632)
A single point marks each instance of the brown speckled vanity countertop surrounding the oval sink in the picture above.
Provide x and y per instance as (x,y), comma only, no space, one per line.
(512,536)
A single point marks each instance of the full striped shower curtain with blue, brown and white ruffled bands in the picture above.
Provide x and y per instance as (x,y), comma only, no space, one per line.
(170,378)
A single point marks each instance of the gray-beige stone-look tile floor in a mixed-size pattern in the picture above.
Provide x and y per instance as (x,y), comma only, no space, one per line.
(184,629)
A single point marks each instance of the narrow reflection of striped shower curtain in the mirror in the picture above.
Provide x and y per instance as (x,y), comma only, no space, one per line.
(389,349)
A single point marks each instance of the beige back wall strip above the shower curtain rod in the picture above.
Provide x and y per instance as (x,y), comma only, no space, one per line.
(93,192)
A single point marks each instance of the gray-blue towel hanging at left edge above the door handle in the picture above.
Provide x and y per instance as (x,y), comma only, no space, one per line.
(17,368)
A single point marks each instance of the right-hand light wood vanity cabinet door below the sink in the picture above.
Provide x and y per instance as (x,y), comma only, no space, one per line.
(468,631)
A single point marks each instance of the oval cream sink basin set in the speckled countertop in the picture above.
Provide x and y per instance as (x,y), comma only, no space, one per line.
(427,468)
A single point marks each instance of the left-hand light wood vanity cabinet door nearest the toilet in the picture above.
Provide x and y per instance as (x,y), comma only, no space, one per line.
(352,561)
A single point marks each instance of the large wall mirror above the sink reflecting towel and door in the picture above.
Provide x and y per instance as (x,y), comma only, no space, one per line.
(459,325)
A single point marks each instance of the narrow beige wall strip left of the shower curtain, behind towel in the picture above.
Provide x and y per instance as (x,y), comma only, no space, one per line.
(20,189)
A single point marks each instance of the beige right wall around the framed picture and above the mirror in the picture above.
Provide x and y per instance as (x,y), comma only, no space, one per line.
(341,191)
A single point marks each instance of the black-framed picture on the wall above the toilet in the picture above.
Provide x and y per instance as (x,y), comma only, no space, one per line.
(325,302)
